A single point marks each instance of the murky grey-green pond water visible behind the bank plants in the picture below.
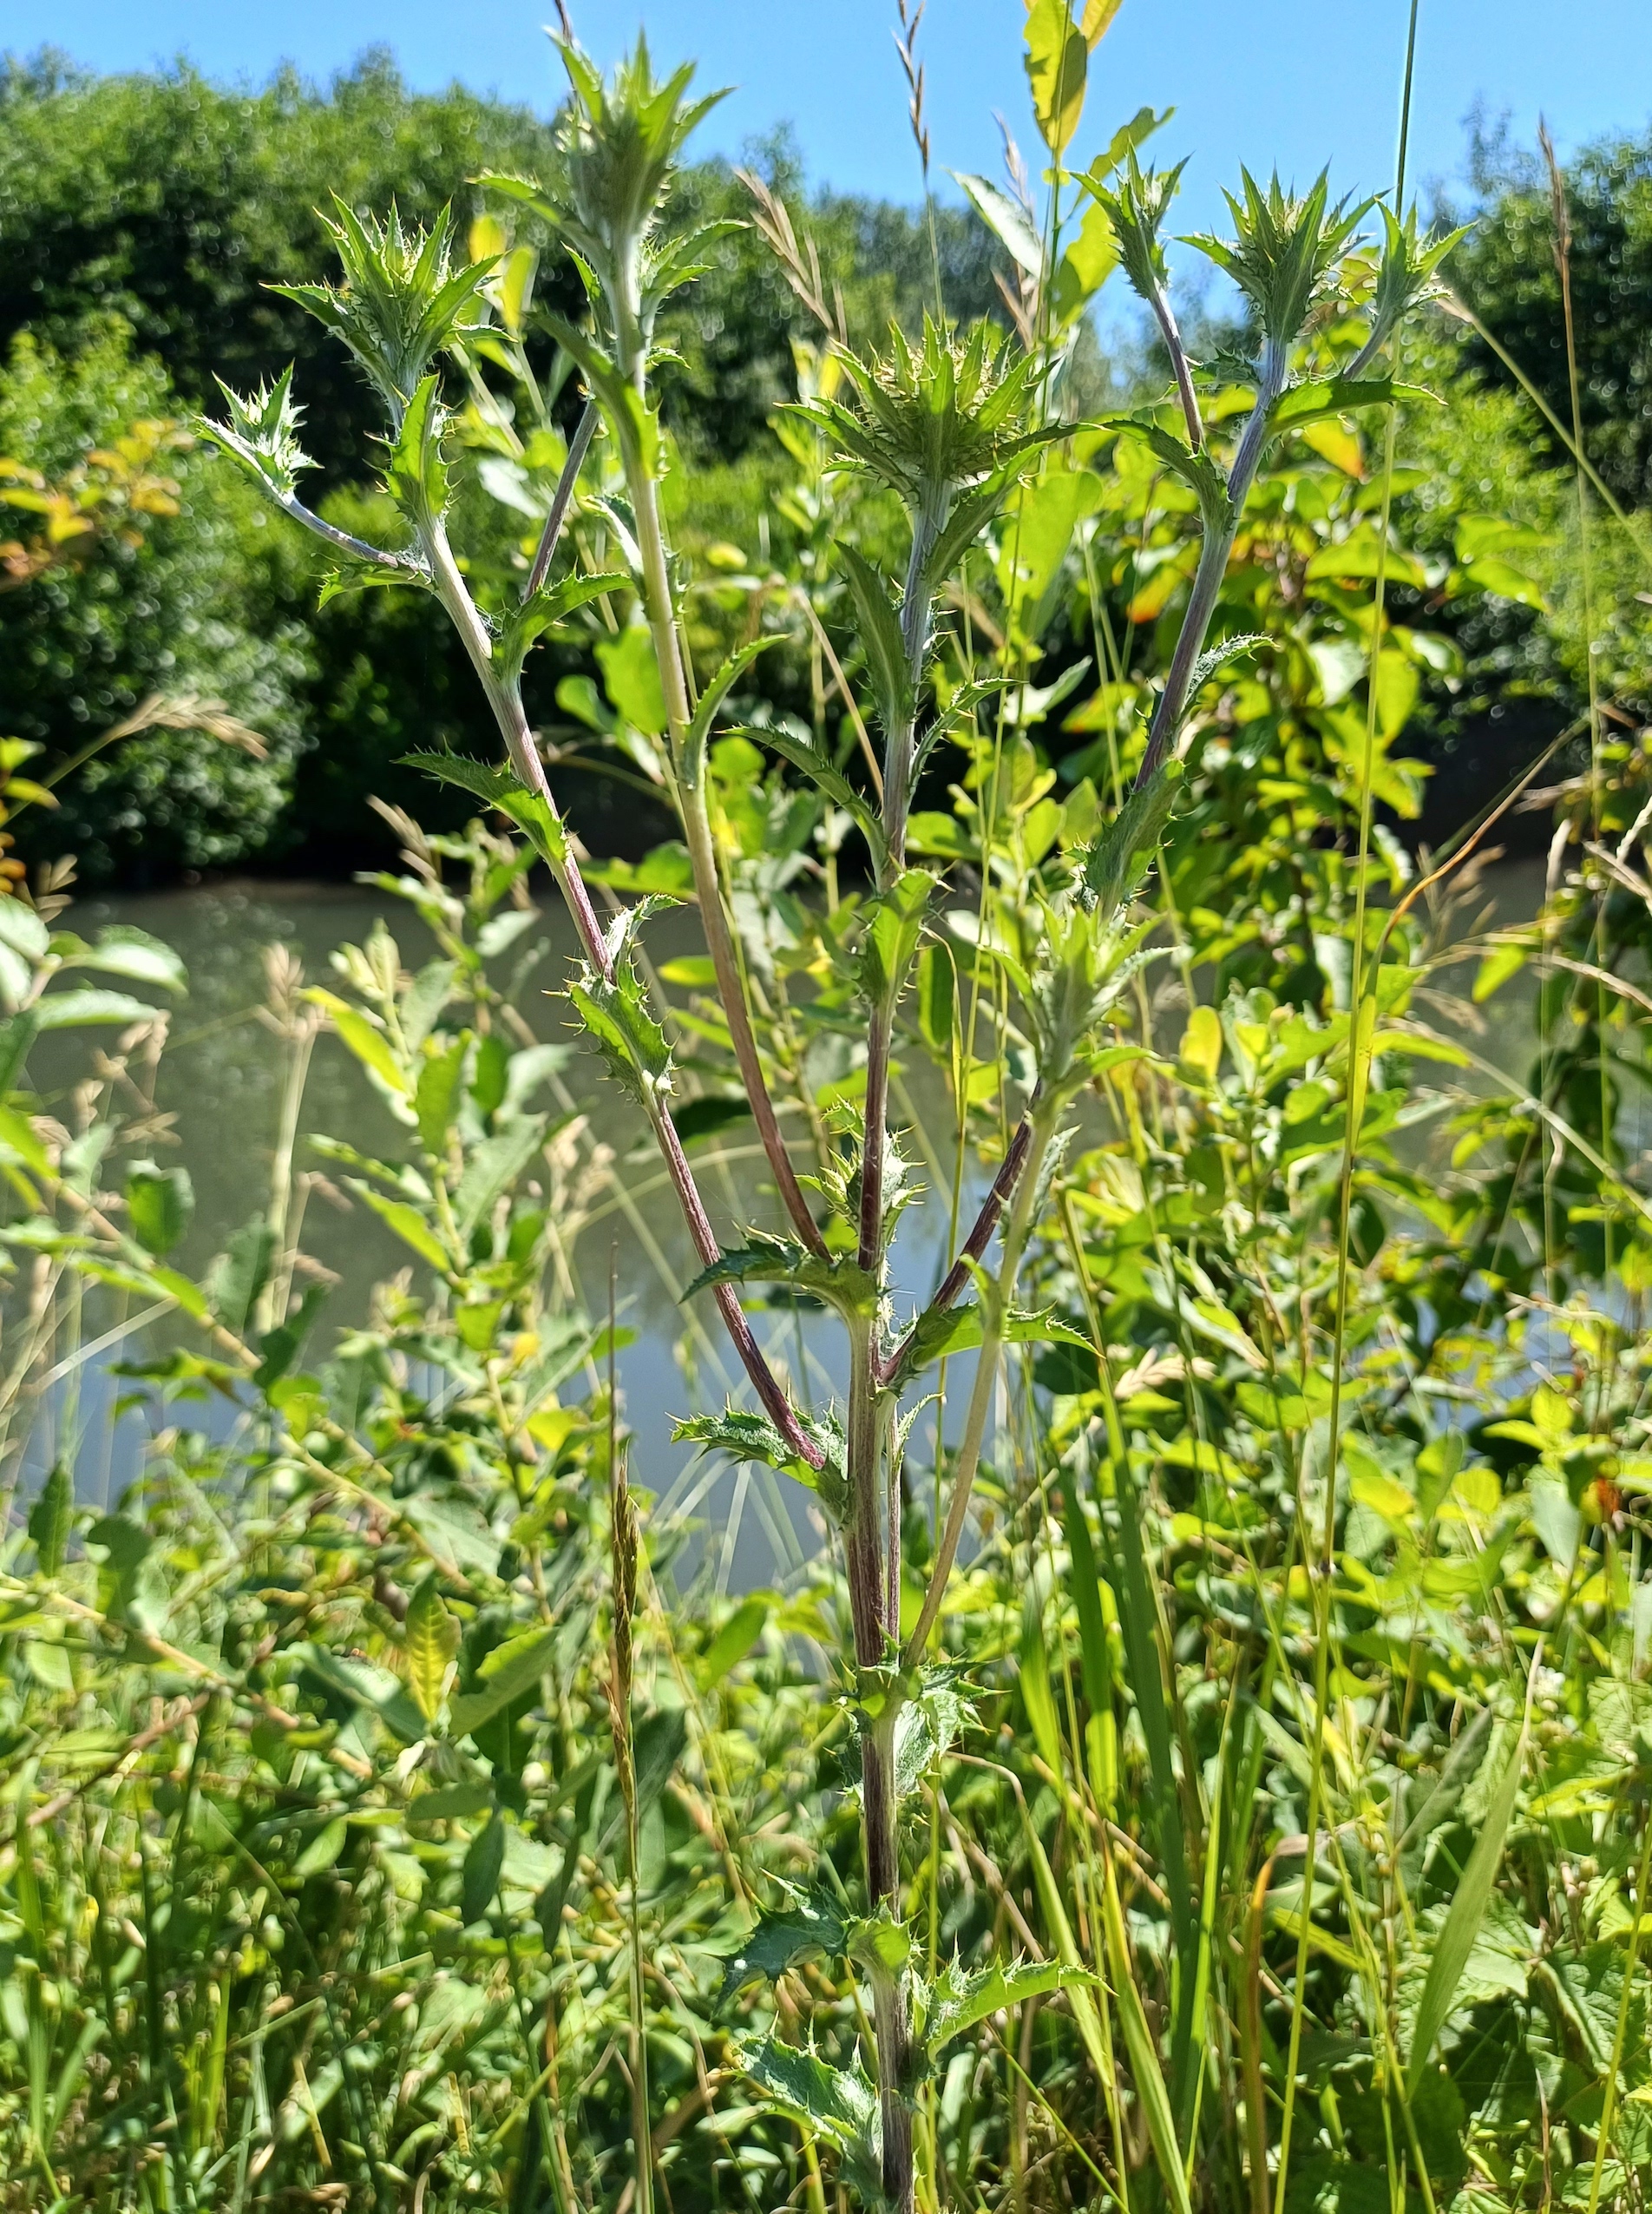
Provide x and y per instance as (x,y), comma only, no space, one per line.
(223,1086)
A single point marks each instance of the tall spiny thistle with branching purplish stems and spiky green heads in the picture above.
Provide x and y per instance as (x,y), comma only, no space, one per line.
(951,426)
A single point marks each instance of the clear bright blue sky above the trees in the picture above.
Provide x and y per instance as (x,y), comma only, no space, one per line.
(1292,83)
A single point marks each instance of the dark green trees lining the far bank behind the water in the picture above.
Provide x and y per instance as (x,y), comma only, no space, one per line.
(143,223)
